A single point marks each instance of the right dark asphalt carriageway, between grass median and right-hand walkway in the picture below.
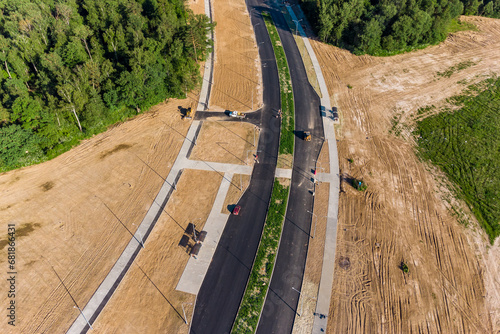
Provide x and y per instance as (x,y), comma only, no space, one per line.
(281,303)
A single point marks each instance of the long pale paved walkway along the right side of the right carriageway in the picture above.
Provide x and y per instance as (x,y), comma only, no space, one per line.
(326,282)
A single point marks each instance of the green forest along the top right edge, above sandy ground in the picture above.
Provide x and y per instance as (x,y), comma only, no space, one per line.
(387,27)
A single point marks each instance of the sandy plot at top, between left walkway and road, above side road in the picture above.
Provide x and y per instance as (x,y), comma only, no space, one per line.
(237,76)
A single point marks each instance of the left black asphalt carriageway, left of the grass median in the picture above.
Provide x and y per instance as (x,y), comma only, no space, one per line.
(222,290)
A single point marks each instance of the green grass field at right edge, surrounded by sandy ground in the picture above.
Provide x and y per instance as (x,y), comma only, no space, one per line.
(465,144)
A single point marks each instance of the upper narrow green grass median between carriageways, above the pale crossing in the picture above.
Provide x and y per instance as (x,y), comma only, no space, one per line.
(287,105)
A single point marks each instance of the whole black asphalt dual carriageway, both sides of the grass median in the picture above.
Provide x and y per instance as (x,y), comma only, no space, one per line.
(224,285)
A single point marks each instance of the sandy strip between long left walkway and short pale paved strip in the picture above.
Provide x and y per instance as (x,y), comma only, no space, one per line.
(146,301)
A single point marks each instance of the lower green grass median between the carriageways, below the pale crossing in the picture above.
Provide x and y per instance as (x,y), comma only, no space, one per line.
(255,293)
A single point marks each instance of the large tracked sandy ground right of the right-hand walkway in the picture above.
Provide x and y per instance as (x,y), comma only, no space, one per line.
(451,286)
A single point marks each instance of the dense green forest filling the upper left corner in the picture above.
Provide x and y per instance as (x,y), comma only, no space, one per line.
(70,68)
